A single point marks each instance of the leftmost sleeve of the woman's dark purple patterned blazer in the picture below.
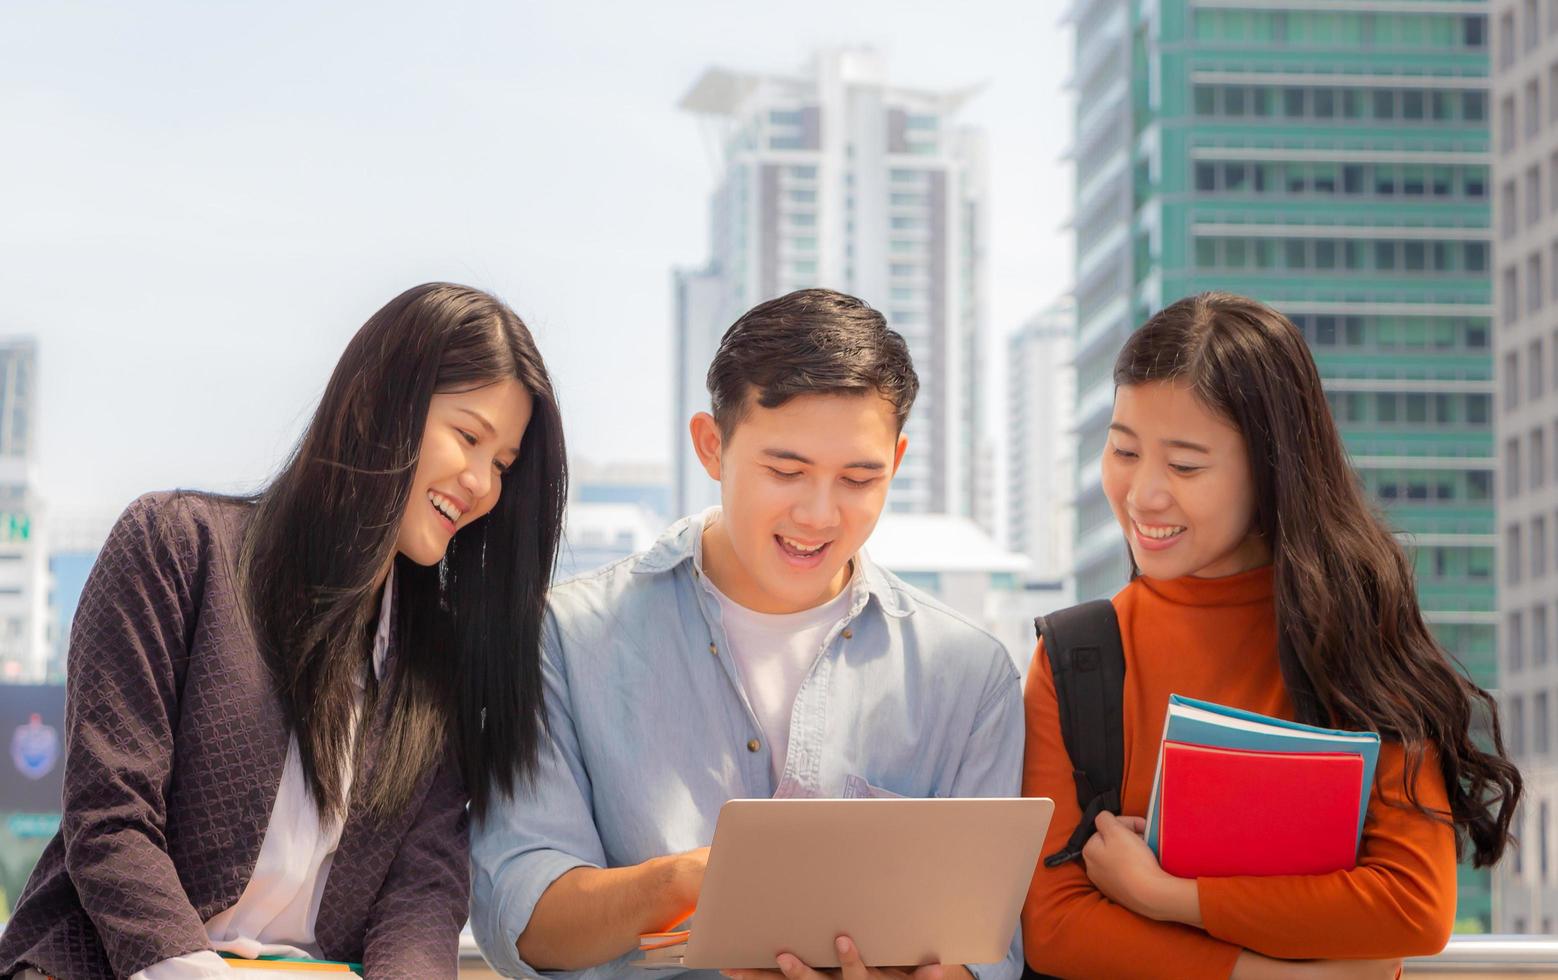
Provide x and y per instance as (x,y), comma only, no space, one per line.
(127,649)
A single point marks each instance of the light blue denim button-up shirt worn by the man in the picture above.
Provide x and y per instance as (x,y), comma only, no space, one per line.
(650,731)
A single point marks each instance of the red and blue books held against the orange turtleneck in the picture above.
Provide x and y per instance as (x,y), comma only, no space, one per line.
(1243,794)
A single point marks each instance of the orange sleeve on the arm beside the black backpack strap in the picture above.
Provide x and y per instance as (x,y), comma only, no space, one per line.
(1068,928)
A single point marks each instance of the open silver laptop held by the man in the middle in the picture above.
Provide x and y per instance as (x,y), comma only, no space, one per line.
(911,881)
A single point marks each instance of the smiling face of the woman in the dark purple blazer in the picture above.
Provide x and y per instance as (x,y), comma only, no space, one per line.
(471,439)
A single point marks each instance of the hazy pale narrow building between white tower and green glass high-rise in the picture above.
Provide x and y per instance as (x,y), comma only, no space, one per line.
(1042,457)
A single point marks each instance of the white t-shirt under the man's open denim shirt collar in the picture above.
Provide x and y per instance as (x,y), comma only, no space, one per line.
(774,655)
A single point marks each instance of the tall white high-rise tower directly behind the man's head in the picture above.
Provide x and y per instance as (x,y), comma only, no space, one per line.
(836,178)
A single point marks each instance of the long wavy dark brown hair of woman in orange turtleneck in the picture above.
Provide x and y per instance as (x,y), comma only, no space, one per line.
(1352,640)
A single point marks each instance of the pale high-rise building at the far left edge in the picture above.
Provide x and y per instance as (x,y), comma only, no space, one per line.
(24,557)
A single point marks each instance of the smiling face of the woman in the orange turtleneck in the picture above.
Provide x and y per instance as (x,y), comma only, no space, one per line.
(1179,481)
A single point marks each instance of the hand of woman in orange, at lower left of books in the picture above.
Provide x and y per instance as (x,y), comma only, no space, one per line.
(1126,870)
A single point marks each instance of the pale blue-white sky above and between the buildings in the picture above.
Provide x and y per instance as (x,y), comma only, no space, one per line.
(202,202)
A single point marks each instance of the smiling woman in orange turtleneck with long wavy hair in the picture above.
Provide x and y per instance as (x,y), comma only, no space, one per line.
(1266,582)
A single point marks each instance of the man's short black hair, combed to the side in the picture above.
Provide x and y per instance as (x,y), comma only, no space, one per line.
(809,342)
